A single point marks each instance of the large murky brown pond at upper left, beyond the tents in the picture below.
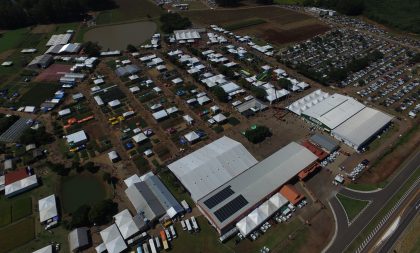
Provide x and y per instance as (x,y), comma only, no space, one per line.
(117,37)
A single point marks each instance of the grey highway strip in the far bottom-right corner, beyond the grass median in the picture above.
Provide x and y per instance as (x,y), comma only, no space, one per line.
(407,217)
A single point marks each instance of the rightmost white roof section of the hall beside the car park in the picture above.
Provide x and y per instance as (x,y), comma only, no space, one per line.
(361,127)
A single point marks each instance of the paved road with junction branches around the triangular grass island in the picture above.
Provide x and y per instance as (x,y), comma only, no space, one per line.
(346,232)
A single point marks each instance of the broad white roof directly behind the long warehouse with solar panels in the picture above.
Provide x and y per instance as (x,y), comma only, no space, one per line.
(211,166)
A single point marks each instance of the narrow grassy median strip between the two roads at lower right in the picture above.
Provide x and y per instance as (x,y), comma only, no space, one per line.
(379,216)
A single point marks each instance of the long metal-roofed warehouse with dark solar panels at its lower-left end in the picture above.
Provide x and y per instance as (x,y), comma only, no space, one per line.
(230,202)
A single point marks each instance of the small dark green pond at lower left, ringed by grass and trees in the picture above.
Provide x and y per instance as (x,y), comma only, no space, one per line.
(80,190)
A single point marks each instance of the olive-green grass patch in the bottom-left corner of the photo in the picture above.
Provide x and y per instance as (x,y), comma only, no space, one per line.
(17,234)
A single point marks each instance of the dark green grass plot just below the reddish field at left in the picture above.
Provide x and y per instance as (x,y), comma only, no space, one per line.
(38,93)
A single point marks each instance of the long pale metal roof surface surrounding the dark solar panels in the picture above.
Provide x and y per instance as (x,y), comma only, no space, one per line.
(259,181)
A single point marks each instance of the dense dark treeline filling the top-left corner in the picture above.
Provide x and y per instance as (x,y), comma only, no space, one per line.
(20,13)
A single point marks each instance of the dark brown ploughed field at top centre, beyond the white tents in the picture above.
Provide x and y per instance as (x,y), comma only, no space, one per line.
(281,26)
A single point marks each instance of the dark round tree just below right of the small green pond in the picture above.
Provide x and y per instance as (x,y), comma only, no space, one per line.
(102,212)
